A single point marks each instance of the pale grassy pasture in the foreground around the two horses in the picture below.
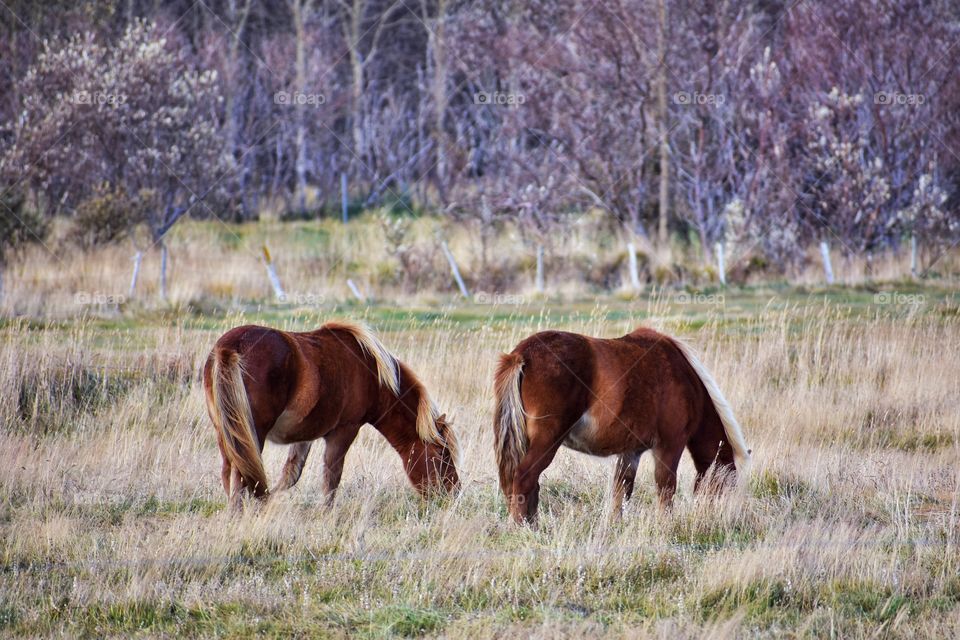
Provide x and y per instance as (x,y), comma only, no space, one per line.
(112,520)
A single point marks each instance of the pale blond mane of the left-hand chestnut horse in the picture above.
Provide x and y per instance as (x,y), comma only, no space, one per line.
(388,373)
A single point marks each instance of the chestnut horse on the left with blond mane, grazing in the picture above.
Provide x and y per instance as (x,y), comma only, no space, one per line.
(292,388)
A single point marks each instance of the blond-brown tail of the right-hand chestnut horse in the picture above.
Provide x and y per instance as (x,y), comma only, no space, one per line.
(509,422)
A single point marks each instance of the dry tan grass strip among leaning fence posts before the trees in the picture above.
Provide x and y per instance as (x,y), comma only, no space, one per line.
(215,267)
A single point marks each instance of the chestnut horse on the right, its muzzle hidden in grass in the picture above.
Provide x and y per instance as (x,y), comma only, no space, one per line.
(644,391)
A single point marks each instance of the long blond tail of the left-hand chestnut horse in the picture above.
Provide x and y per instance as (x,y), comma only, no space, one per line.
(232,417)
